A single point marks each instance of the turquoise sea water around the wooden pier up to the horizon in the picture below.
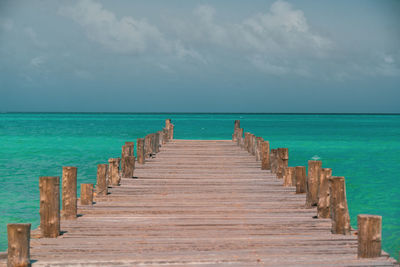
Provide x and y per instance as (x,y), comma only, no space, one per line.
(363,148)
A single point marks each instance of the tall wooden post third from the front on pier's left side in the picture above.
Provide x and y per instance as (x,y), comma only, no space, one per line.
(69,193)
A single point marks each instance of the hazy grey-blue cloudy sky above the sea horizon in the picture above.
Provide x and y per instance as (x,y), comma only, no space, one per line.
(200,56)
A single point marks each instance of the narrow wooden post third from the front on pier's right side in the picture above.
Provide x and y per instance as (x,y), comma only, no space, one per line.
(323,209)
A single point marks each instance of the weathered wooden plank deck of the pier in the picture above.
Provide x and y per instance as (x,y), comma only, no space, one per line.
(200,203)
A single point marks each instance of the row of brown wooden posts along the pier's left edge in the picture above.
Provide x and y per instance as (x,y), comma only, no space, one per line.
(108,175)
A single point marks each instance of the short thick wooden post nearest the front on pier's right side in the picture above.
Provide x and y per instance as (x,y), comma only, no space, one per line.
(369,236)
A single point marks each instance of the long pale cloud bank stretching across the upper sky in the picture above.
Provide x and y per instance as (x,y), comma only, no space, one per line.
(277,41)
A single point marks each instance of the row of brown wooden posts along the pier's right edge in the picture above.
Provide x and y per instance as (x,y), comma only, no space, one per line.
(324,191)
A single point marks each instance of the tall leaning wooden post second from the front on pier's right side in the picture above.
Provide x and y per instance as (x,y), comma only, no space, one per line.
(338,206)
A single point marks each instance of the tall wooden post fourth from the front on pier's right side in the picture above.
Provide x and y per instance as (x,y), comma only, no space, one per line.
(314,173)
